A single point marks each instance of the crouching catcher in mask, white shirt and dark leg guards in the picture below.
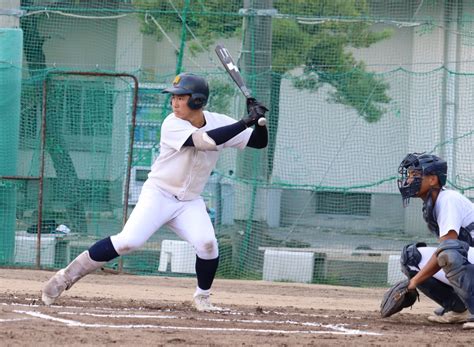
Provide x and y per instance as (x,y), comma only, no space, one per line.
(445,273)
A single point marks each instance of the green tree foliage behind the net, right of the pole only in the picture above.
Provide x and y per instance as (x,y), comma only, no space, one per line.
(322,47)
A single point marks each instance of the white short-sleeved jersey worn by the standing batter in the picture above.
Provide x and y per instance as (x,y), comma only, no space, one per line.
(184,171)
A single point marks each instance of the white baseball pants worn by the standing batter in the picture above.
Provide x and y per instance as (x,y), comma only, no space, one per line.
(155,208)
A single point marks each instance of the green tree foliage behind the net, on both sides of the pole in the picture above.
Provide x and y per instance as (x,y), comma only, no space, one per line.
(316,35)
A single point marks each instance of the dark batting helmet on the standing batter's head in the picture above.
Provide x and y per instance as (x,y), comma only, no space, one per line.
(189,84)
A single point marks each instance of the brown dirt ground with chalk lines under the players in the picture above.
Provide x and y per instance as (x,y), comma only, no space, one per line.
(106,309)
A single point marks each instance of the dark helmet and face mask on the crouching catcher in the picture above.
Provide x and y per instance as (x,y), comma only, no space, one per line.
(422,165)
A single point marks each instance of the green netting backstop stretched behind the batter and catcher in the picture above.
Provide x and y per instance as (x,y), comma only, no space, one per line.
(352,87)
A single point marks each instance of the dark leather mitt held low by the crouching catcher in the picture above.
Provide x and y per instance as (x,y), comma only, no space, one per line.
(397,298)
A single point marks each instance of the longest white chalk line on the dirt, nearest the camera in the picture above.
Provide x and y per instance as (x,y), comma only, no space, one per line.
(339,331)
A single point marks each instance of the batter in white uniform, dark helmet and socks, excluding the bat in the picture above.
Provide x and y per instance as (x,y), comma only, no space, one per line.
(191,140)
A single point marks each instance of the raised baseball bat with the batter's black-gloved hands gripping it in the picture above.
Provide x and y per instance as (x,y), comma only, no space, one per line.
(255,109)
